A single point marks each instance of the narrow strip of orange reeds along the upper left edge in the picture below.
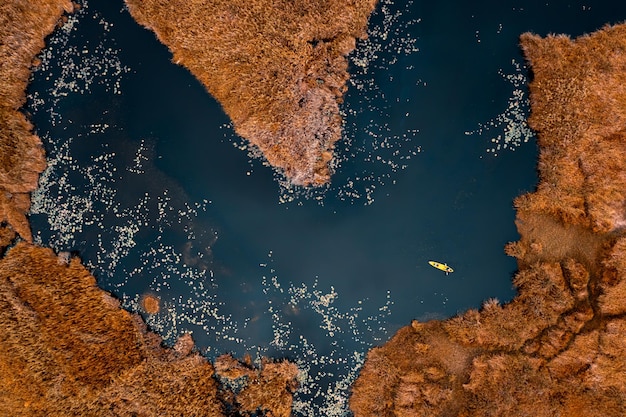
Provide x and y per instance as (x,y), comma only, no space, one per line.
(23,26)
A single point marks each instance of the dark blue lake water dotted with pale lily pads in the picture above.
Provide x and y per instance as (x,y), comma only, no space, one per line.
(149,185)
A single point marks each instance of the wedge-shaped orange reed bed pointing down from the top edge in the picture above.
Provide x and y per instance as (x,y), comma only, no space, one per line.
(278,68)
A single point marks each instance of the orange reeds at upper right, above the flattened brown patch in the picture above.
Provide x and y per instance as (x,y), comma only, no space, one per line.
(579,111)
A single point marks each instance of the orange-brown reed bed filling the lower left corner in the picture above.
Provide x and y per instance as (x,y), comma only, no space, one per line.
(68,349)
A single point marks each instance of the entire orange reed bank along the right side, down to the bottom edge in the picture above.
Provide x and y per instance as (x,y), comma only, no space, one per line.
(557,348)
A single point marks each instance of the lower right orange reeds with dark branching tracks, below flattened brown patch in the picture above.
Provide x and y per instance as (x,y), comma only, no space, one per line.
(538,355)
